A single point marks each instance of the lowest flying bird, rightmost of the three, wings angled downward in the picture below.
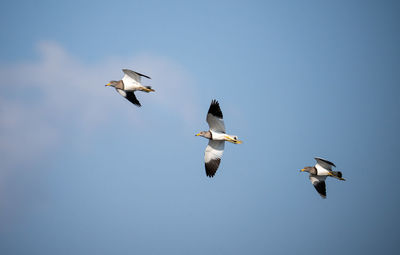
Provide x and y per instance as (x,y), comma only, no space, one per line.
(319,172)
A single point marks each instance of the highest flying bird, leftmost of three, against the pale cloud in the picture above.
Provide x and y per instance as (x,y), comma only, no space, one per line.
(129,84)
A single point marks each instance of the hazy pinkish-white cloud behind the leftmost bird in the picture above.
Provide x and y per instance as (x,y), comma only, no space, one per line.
(40,99)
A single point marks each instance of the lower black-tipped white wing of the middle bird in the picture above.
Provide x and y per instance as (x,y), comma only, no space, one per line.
(212,156)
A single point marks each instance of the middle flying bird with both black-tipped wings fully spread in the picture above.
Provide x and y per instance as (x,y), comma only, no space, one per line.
(217,136)
